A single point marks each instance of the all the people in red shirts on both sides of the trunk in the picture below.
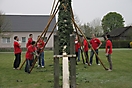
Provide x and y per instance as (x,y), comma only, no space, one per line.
(36,48)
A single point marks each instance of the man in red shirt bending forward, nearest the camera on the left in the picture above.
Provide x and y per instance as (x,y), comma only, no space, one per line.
(31,51)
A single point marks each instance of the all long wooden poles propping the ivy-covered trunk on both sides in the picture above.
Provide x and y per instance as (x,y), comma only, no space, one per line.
(52,15)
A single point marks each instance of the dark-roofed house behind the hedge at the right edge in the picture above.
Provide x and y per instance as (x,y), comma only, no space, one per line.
(124,33)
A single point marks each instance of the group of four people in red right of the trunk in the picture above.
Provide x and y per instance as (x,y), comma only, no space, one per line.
(95,44)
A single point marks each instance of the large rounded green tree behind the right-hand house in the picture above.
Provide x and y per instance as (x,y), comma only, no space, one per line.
(111,21)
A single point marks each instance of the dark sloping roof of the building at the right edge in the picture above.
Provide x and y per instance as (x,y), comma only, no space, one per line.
(119,31)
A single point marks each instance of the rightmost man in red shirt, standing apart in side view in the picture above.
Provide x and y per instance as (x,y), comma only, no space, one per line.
(108,51)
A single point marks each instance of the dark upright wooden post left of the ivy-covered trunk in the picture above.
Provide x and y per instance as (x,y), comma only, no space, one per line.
(56,62)
